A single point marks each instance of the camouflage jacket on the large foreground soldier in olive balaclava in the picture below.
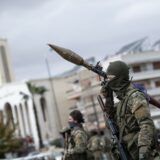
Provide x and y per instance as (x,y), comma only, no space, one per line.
(133,118)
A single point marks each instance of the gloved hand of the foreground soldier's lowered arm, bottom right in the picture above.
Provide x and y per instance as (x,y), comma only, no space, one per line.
(144,153)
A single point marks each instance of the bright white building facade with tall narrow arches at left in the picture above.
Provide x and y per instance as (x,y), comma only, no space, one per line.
(21,110)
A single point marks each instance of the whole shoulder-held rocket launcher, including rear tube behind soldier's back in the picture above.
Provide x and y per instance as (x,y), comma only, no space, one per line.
(72,57)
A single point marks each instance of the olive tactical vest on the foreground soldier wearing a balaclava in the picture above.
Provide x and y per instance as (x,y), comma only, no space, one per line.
(128,127)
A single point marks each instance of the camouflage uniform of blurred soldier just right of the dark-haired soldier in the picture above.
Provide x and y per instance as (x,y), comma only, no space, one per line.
(94,145)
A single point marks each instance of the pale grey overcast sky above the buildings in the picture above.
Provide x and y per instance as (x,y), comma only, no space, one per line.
(89,27)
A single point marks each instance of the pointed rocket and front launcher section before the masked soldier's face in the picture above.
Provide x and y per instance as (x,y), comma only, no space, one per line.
(71,56)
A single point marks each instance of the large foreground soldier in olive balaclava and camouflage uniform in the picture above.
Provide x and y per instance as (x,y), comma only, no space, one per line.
(132,115)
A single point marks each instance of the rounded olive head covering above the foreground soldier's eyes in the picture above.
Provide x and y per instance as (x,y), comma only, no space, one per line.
(119,69)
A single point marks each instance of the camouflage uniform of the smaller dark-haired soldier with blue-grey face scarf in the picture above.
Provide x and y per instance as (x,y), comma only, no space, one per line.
(78,144)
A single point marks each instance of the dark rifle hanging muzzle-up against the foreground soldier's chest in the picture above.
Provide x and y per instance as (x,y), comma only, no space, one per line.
(113,129)
